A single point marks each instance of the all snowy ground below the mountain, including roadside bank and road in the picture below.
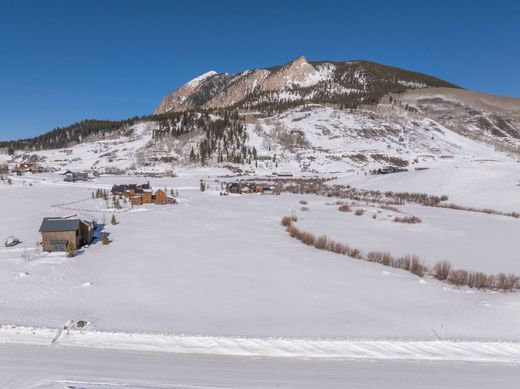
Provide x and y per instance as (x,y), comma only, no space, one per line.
(218,277)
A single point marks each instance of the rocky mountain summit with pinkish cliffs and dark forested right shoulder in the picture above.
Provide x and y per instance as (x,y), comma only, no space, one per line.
(349,83)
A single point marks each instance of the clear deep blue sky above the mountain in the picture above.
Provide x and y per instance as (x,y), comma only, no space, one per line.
(63,61)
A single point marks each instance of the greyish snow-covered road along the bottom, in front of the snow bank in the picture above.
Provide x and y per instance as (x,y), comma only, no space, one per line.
(44,367)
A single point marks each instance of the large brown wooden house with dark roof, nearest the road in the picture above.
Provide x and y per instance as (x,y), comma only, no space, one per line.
(57,232)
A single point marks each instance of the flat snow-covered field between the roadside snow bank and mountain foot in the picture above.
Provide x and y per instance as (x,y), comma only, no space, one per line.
(223,266)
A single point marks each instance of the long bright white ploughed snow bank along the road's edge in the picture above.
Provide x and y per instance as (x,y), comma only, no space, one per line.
(500,352)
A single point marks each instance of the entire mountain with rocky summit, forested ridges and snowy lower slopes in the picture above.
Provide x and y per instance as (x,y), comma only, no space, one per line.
(300,117)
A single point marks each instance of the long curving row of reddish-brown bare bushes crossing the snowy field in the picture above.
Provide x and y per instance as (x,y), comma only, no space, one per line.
(442,271)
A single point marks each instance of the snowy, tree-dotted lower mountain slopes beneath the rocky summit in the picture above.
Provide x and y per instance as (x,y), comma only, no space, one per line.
(311,138)
